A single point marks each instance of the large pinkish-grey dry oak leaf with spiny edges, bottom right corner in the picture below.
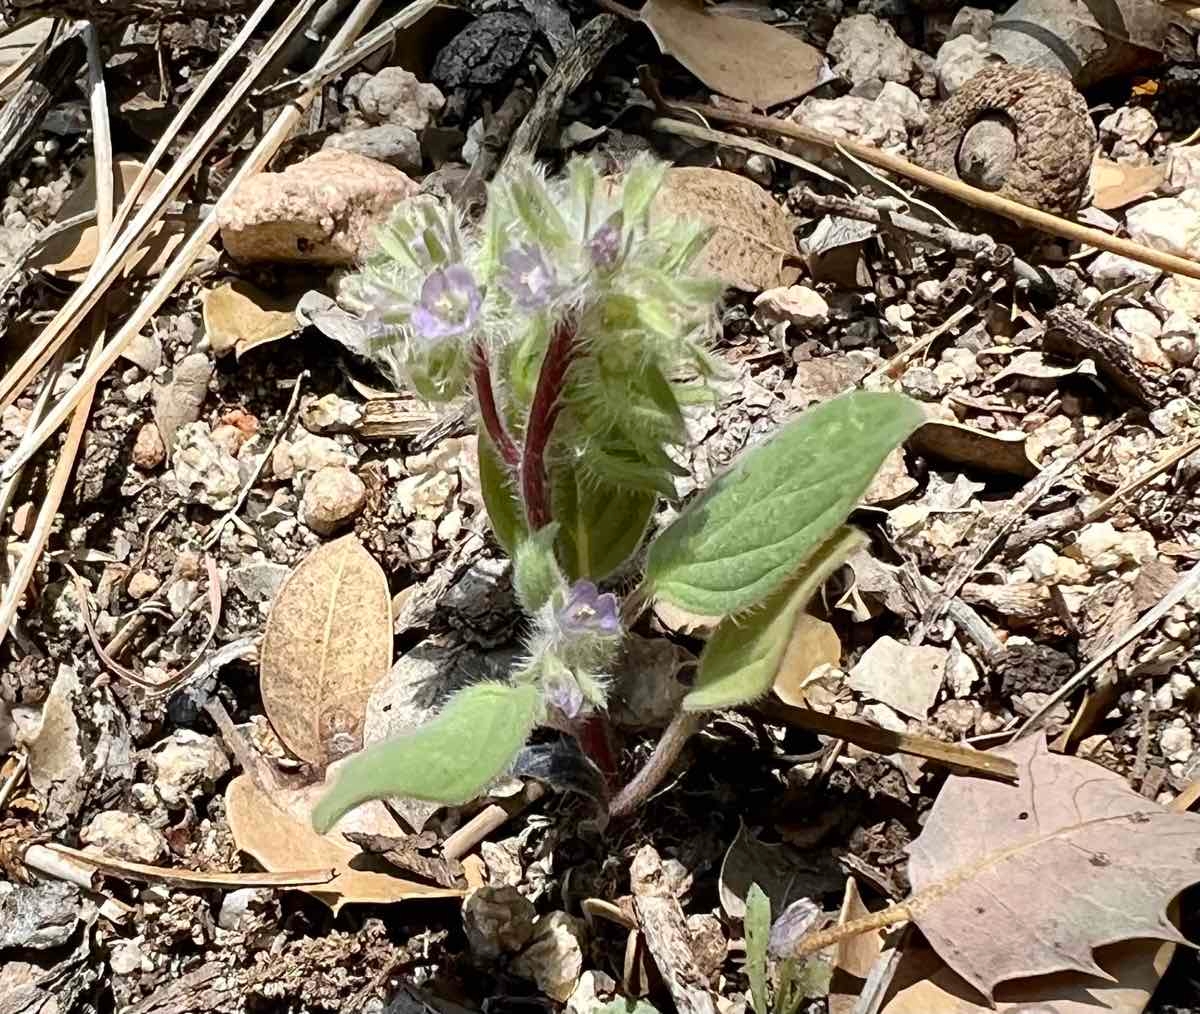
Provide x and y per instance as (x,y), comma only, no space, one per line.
(1028,880)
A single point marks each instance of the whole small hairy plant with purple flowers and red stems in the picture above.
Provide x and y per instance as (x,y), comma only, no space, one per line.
(573,316)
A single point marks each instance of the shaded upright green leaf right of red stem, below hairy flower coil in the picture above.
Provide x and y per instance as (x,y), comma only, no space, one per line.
(603,524)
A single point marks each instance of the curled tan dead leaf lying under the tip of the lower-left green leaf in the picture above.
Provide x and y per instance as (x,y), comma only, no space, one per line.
(275,830)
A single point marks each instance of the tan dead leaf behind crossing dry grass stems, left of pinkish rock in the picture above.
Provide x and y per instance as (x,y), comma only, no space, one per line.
(70,254)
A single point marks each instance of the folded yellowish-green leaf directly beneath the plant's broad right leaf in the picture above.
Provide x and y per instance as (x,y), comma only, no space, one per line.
(742,658)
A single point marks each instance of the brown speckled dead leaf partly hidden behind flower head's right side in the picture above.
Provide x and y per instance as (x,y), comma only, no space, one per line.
(753,237)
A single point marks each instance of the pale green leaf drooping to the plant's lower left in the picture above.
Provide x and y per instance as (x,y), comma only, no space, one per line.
(451,760)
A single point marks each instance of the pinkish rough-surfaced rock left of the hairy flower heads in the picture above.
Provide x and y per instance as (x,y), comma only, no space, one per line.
(323,211)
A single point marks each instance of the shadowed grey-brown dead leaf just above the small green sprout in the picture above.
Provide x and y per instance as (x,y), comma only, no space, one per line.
(784,873)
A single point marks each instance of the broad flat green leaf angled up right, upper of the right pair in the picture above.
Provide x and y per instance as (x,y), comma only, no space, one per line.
(743,538)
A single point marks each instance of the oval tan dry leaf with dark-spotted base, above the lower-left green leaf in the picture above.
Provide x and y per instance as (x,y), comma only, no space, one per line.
(328,643)
